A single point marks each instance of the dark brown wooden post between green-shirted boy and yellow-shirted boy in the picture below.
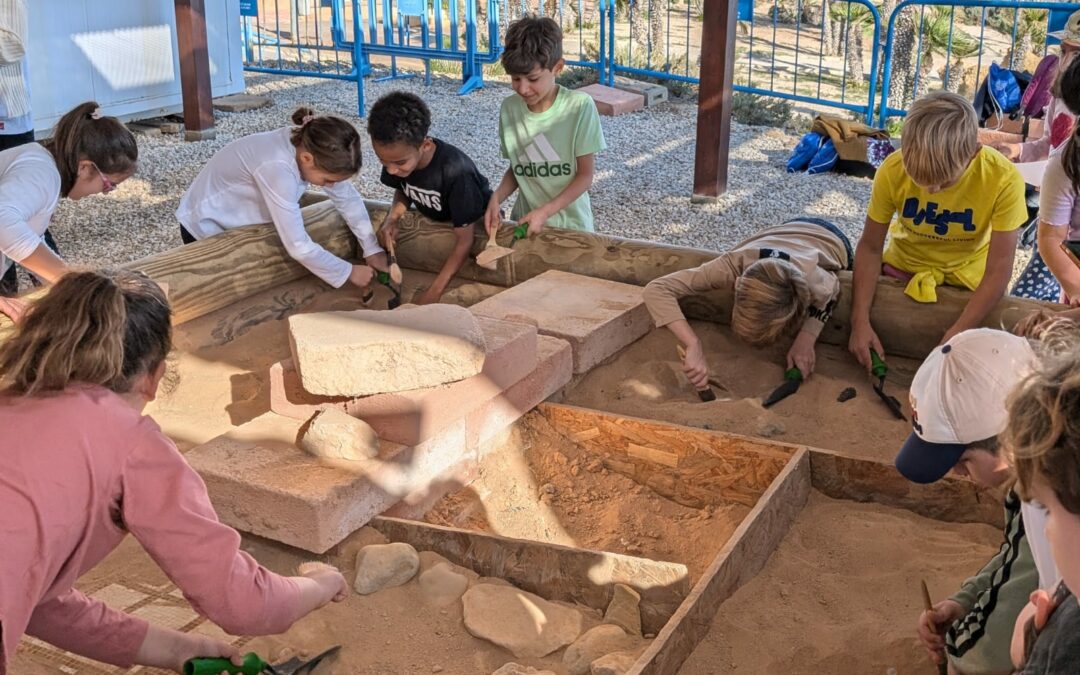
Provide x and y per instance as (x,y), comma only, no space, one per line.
(714,100)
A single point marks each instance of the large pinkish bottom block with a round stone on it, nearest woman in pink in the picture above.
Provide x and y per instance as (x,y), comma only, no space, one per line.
(260,482)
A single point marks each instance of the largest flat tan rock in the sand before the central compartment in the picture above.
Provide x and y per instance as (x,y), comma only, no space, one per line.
(525,625)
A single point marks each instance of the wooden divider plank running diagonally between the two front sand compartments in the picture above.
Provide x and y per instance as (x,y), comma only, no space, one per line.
(740,561)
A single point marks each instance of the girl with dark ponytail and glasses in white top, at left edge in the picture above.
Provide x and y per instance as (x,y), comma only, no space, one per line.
(89,154)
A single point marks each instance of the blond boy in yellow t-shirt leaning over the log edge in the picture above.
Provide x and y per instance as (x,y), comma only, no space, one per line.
(958,210)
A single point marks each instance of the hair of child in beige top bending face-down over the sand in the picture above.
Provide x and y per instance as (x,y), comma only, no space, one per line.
(772,300)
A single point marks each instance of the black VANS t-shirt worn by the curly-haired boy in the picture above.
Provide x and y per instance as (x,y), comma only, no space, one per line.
(450,188)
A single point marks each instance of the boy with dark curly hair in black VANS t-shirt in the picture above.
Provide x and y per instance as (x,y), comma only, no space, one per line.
(438,179)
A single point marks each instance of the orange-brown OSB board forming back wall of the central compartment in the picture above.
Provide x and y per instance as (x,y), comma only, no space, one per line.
(693,467)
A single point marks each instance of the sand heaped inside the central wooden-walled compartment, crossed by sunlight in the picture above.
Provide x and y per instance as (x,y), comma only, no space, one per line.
(560,494)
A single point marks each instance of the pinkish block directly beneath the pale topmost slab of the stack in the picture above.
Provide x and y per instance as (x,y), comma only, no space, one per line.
(411,417)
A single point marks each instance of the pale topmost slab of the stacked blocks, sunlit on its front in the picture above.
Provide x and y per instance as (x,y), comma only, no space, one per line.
(371,353)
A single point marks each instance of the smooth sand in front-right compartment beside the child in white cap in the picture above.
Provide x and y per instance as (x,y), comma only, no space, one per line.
(842,593)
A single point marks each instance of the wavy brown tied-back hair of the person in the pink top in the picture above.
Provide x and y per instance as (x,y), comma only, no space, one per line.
(103,329)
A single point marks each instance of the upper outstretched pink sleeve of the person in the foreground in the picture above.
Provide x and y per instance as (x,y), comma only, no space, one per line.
(167,508)
